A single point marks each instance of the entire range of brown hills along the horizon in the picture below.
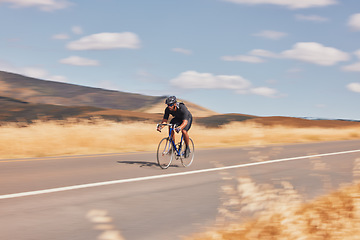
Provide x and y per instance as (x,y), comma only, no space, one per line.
(27,99)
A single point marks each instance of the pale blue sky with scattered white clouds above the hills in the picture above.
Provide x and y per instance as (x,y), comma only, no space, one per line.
(260,57)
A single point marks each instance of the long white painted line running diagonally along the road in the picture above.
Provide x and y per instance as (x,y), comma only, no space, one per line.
(89,185)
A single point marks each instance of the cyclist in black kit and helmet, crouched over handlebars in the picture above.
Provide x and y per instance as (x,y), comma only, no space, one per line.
(182,118)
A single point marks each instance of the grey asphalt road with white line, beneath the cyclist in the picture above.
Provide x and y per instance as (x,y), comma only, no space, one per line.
(127,196)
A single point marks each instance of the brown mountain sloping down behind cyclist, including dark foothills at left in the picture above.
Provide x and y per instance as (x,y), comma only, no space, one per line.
(26,99)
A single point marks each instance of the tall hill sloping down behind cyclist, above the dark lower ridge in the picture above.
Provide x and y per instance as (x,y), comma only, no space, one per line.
(39,91)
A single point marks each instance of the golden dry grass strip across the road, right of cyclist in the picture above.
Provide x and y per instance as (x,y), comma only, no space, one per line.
(244,134)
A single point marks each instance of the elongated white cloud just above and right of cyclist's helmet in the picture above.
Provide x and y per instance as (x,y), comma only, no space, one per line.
(193,79)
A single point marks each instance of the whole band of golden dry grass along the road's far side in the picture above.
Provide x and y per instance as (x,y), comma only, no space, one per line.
(71,137)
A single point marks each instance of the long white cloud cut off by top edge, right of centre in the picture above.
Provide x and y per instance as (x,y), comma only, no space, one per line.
(292,4)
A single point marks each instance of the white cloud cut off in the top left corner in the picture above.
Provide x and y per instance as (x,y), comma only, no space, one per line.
(43,5)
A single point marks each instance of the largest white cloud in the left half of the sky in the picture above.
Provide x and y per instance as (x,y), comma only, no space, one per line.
(102,41)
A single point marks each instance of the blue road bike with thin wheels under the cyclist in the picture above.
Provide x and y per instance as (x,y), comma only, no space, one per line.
(167,149)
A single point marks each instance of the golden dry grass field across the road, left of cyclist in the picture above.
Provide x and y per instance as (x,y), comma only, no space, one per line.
(69,138)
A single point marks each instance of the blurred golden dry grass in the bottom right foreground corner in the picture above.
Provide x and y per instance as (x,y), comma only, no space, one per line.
(336,216)
